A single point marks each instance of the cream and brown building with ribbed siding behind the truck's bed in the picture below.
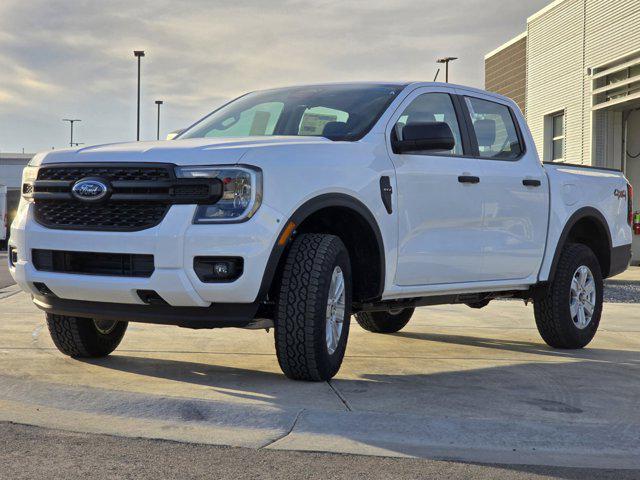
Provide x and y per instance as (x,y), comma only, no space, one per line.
(575,73)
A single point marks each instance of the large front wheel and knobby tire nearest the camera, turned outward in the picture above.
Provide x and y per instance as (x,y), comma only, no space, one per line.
(313,308)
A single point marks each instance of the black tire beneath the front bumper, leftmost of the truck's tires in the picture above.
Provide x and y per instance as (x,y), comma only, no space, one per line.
(84,337)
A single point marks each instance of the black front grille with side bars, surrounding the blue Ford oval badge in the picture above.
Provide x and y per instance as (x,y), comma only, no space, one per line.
(139,195)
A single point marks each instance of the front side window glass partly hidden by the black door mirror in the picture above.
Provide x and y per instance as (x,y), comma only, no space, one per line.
(432,107)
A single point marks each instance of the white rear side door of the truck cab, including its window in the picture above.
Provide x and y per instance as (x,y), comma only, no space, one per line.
(515,191)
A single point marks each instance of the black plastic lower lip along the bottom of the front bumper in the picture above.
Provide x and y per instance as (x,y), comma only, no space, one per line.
(216,316)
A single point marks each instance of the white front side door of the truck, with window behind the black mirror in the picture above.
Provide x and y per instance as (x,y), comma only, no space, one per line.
(439,199)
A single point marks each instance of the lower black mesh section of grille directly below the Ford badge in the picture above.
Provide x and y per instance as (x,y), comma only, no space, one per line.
(121,216)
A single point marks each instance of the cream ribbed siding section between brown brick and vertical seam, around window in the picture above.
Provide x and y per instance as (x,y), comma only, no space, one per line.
(555,74)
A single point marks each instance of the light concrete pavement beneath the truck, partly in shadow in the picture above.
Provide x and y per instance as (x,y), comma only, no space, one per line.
(470,385)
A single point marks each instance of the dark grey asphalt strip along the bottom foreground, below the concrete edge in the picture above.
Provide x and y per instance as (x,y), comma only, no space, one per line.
(35,453)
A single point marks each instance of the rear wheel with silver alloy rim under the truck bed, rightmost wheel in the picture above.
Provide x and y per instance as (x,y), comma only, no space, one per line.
(568,311)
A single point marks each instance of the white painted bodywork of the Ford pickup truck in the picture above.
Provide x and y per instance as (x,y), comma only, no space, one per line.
(443,236)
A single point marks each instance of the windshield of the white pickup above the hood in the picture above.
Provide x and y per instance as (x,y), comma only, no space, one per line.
(338,112)
